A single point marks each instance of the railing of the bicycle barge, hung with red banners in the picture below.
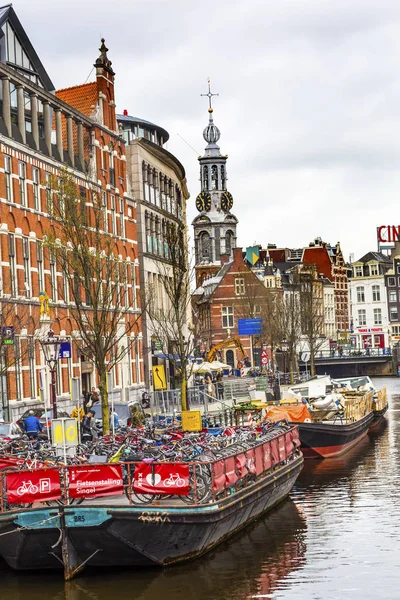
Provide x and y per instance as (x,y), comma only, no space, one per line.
(199,481)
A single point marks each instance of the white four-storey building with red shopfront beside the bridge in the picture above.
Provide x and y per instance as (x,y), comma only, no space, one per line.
(369,302)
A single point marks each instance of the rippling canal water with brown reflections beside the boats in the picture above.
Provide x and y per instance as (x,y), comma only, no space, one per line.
(336,538)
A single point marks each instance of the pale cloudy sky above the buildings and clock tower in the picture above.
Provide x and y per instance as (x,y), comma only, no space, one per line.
(309,104)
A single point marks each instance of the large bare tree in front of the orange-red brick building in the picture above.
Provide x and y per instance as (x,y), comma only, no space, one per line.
(98,285)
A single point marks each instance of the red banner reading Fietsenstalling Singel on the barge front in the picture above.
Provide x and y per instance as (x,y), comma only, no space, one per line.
(96,480)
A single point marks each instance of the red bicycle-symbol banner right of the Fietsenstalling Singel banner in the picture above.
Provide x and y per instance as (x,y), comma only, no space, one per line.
(162,479)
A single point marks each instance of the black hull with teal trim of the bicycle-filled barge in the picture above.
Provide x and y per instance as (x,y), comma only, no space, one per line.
(134,536)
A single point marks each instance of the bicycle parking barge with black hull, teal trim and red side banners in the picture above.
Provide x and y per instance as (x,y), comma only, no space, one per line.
(104,532)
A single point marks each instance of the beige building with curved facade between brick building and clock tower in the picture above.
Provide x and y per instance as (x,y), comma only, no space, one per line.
(158,183)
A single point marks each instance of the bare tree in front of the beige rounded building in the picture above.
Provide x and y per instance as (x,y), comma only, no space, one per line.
(169,308)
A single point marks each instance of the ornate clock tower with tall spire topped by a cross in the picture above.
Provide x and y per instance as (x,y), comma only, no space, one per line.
(215,226)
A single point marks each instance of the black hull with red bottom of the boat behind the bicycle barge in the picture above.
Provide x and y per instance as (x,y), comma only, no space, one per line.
(325,440)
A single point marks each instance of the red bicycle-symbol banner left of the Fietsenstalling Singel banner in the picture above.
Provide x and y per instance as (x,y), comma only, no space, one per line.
(33,486)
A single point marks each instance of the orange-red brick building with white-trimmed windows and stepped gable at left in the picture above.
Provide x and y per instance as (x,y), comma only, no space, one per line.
(41,132)
